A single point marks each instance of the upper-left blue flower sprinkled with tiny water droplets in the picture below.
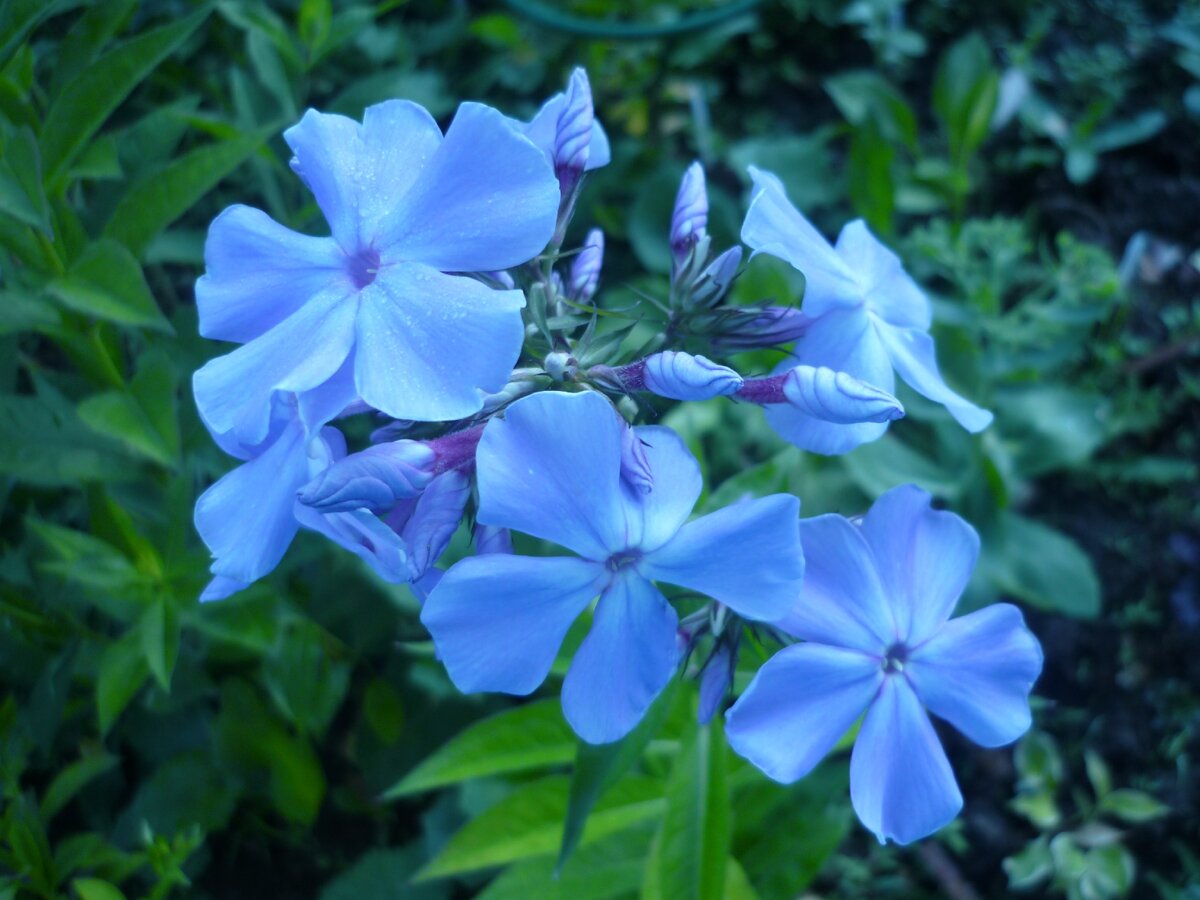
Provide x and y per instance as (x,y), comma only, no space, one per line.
(371,308)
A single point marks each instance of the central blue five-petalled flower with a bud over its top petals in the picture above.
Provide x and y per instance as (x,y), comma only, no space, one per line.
(553,470)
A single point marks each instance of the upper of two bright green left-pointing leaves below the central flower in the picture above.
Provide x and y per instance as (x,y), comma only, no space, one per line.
(532,736)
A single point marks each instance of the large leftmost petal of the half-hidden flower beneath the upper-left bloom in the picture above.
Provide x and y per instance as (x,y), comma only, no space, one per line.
(247,519)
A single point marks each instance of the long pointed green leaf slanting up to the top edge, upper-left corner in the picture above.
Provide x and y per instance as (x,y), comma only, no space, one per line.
(92,97)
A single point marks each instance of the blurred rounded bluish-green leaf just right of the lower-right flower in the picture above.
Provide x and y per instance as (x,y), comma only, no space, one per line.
(1040,566)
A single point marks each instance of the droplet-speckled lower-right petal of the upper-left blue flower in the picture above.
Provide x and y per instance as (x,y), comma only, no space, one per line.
(431,345)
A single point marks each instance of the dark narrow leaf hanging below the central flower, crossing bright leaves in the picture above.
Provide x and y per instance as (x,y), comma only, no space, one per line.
(601,766)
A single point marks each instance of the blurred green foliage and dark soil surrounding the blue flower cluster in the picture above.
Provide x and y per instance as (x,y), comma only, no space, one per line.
(1036,165)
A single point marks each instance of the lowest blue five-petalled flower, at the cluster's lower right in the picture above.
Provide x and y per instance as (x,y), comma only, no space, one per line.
(875,620)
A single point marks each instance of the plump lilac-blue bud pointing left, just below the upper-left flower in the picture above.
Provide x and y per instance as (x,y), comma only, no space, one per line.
(376,478)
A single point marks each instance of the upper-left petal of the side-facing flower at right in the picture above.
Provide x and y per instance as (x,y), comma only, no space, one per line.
(776,227)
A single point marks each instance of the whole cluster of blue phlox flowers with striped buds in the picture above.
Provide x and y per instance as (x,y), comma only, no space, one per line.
(446,304)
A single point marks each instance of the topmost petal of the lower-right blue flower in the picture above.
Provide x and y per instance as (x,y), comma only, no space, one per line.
(925,559)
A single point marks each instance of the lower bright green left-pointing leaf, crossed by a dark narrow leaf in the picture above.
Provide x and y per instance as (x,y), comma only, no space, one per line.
(529,824)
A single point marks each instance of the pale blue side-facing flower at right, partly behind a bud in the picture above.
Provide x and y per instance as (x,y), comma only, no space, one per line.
(867,317)
